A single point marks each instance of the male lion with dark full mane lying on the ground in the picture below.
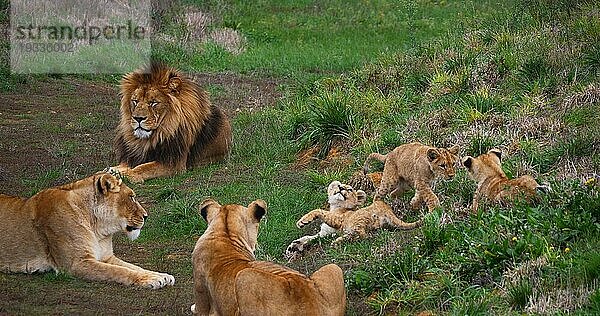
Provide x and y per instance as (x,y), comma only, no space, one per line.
(167,125)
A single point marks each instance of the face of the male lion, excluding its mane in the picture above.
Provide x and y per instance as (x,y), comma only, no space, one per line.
(149,106)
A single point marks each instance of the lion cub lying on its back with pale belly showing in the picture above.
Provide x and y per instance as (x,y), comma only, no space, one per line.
(345,217)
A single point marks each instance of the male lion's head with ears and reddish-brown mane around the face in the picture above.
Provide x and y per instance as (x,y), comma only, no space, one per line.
(149,98)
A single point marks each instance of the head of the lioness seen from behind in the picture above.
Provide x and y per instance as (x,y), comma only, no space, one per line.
(238,221)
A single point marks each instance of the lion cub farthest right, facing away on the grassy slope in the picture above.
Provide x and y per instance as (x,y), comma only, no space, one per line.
(494,185)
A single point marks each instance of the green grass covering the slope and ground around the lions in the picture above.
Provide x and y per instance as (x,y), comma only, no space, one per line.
(368,76)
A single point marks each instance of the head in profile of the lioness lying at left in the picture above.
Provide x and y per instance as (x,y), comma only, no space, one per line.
(117,205)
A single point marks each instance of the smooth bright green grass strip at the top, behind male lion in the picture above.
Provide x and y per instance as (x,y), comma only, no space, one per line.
(299,38)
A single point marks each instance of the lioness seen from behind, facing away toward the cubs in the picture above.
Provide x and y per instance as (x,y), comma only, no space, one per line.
(229,281)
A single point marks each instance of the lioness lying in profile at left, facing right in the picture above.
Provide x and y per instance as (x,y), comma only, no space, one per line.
(69,228)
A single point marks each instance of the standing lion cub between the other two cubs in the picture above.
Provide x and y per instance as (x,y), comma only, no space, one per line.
(415,166)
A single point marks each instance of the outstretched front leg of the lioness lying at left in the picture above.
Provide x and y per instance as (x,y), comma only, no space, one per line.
(93,269)
